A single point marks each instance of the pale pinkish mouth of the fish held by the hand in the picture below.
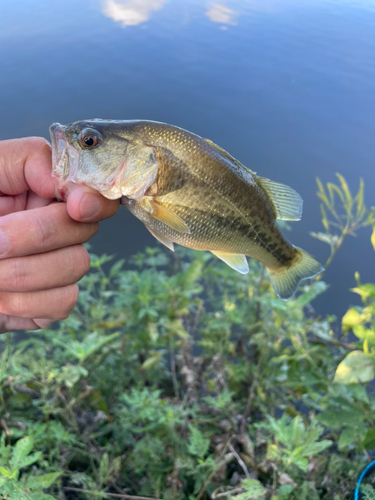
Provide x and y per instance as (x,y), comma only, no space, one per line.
(65,161)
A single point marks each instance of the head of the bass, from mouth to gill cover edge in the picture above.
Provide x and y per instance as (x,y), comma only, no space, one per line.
(104,155)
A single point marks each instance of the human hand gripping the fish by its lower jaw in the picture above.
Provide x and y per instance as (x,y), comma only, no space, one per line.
(41,252)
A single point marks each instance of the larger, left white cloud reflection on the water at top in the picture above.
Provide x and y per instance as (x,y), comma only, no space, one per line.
(131,12)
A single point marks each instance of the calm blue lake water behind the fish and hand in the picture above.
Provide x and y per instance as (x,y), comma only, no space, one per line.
(286,86)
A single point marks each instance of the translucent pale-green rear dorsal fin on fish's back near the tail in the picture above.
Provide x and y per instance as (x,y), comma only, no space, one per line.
(287,202)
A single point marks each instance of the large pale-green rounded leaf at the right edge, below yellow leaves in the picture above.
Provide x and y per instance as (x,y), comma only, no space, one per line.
(355,368)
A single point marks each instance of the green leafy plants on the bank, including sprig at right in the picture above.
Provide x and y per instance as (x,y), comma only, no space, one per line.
(178,379)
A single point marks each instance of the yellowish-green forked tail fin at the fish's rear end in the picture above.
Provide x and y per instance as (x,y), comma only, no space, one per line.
(285,280)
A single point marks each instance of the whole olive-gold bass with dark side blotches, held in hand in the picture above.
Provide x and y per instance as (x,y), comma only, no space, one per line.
(186,190)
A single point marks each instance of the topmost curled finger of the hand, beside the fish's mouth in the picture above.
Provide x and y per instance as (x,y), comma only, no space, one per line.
(26,164)
